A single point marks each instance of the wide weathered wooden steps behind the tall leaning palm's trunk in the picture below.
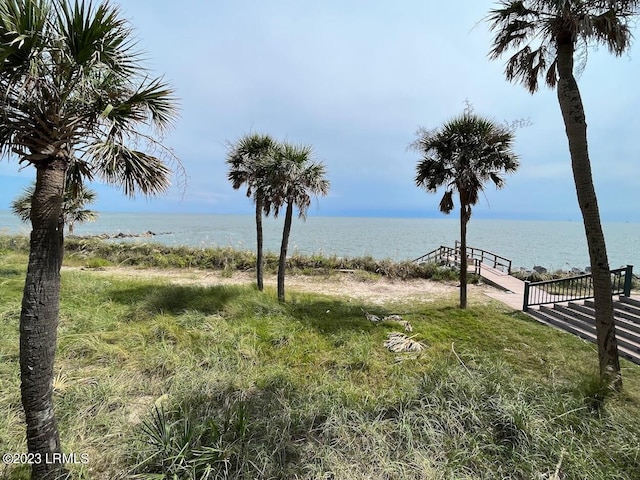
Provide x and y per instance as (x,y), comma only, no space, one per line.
(578,318)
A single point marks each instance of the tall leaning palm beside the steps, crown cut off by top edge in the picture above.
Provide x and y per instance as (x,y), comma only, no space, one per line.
(546,35)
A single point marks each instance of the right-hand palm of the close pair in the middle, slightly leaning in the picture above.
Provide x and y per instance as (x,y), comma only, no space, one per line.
(292,179)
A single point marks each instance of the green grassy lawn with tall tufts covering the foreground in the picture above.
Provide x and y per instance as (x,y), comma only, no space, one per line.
(224,381)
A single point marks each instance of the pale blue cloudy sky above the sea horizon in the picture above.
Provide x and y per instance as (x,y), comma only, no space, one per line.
(355,80)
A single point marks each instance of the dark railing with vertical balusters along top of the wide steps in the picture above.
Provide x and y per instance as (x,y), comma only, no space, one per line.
(574,288)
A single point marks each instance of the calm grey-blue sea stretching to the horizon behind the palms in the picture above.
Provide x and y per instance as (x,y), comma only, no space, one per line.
(555,245)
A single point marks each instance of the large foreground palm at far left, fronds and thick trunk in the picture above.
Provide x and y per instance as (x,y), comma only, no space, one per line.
(74,97)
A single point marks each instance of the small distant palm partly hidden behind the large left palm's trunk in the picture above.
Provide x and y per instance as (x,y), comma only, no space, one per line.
(73,206)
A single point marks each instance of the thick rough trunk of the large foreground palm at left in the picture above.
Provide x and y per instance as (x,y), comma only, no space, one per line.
(39,319)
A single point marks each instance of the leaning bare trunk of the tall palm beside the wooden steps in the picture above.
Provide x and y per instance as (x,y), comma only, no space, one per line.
(576,128)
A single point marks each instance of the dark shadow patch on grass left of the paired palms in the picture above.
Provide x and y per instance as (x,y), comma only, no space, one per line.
(176,299)
